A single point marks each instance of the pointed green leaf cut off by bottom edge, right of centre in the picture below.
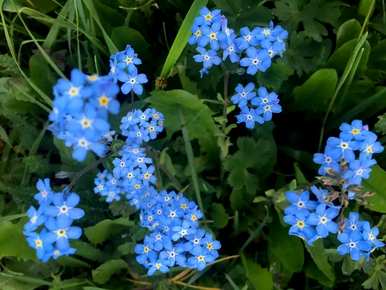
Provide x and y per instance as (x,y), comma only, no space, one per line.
(259,277)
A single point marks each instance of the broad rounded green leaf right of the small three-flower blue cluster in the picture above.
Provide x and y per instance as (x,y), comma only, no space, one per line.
(315,94)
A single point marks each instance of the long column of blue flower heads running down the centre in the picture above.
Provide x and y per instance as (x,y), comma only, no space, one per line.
(175,237)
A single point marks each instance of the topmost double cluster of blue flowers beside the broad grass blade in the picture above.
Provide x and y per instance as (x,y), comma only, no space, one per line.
(252,48)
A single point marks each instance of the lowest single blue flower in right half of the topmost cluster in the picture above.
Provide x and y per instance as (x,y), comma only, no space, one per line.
(256,60)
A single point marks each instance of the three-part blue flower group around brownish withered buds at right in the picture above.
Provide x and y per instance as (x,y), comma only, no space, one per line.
(314,215)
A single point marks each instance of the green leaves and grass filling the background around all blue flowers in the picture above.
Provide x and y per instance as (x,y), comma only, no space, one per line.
(334,70)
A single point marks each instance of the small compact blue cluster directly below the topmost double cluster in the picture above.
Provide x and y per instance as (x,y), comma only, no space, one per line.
(255,108)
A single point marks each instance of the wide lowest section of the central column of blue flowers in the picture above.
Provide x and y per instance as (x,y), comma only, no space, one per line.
(175,237)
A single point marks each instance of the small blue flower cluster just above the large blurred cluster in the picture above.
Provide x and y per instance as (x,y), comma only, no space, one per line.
(123,67)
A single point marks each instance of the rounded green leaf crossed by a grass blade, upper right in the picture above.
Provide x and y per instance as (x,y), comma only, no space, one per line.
(338,60)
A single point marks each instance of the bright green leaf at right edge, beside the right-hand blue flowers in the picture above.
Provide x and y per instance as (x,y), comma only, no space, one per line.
(376,183)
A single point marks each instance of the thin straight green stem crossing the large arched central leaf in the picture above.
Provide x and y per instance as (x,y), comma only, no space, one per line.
(189,154)
